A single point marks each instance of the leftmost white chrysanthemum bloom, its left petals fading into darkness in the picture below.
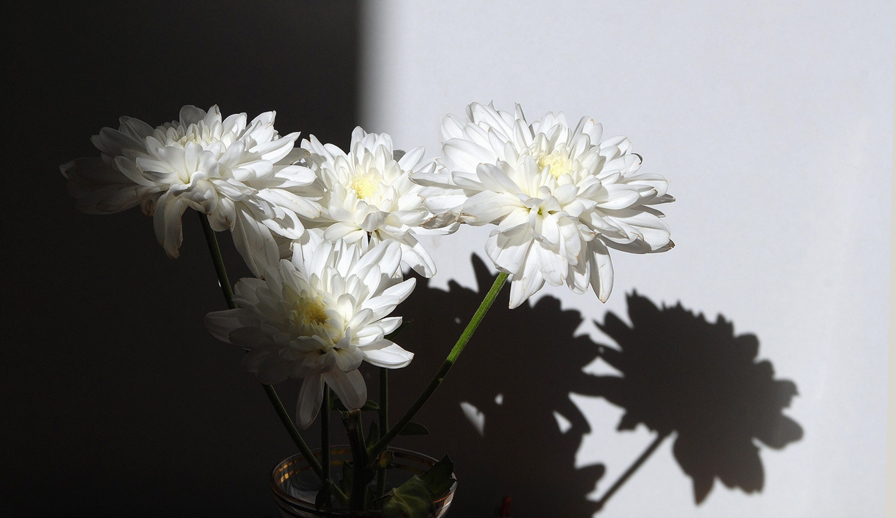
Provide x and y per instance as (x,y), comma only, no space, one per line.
(225,168)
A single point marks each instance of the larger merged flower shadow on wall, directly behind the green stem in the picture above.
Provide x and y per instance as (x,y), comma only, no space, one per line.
(515,376)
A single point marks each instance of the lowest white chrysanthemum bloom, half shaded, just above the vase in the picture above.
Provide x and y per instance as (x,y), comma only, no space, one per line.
(318,317)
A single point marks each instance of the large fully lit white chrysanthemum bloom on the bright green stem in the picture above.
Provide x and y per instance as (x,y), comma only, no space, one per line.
(560,197)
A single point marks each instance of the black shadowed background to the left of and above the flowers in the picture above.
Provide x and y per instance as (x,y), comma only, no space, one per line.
(116,400)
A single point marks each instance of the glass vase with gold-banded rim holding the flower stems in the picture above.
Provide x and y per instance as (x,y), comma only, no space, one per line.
(295,485)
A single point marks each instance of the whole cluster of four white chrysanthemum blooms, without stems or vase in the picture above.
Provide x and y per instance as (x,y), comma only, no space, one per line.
(327,231)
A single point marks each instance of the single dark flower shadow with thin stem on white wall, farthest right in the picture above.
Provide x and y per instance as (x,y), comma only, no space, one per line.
(683,374)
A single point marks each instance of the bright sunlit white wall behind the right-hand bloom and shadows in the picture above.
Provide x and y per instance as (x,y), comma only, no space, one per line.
(773,123)
